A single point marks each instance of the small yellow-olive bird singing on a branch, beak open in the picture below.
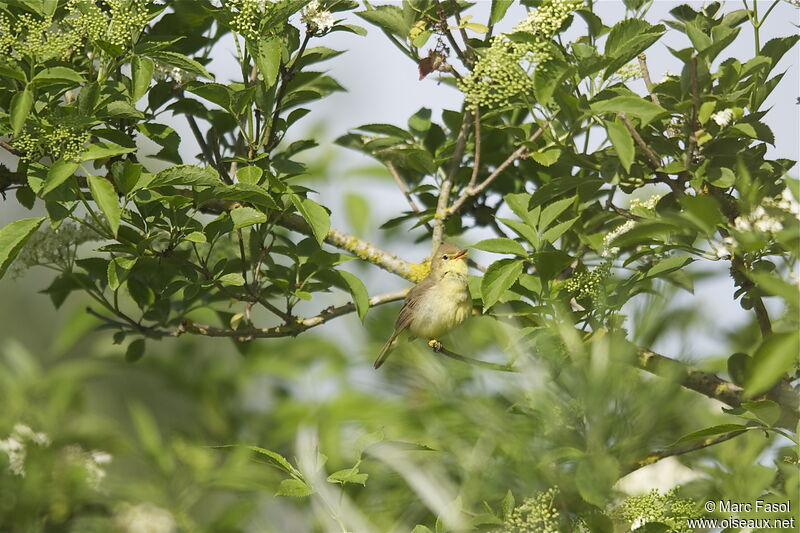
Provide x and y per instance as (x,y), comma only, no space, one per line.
(438,303)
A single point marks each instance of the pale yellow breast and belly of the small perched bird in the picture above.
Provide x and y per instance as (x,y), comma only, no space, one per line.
(446,305)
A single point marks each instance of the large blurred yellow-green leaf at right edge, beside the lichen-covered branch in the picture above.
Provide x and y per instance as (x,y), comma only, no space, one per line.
(776,356)
